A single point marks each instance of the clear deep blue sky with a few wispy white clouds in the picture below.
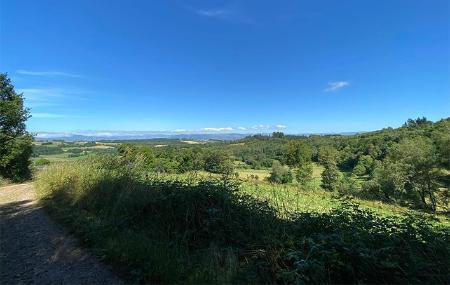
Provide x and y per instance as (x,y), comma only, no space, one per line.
(227,66)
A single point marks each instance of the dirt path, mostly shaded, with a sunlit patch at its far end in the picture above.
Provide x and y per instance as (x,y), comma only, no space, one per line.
(33,249)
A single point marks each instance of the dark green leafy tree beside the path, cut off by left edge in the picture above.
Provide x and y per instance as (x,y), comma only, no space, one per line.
(15,141)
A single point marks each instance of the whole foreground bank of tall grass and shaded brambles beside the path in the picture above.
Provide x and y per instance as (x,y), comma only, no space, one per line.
(159,230)
